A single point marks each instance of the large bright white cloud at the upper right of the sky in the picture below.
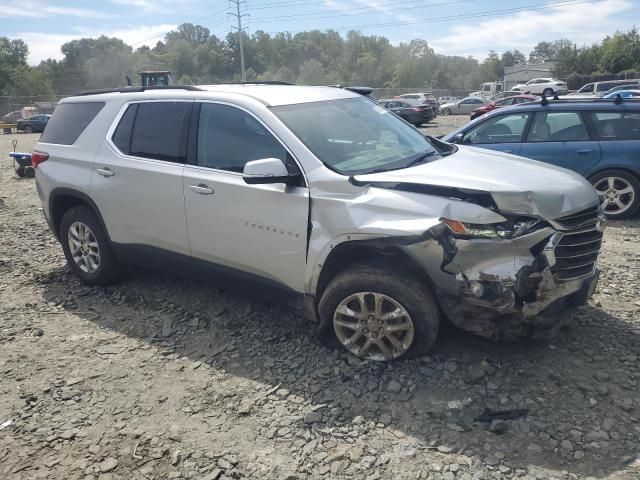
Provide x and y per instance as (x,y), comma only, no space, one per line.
(582,23)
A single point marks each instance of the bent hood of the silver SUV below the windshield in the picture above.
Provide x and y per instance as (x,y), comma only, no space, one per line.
(517,185)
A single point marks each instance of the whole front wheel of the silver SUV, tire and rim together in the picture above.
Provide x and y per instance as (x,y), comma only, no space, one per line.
(417,331)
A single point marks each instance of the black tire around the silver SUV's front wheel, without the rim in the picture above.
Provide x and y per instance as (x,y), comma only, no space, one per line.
(412,294)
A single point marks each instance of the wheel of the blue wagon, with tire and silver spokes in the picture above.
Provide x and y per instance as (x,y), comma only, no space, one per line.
(610,184)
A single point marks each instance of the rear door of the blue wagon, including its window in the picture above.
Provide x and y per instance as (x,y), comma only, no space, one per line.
(562,139)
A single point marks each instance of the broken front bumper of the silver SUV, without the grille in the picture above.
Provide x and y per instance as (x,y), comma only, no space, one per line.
(506,288)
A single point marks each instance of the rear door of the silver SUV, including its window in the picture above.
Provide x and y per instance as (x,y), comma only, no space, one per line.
(137,178)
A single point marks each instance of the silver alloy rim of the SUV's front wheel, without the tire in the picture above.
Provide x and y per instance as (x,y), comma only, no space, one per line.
(374,326)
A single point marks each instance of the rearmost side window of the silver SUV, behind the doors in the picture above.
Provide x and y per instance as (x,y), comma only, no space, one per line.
(68,121)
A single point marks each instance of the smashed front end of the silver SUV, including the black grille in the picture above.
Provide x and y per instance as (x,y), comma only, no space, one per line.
(515,279)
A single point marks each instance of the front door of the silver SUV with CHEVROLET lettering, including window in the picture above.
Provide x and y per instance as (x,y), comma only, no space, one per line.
(260,230)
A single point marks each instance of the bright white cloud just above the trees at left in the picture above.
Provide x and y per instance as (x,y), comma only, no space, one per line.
(47,45)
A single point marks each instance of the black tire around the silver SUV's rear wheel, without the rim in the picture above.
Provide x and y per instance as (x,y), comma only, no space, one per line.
(108,271)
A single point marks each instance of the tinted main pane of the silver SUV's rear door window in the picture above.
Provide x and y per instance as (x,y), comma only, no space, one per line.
(159,131)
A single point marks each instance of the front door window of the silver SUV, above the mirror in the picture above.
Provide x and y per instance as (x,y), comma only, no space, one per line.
(228,138)
